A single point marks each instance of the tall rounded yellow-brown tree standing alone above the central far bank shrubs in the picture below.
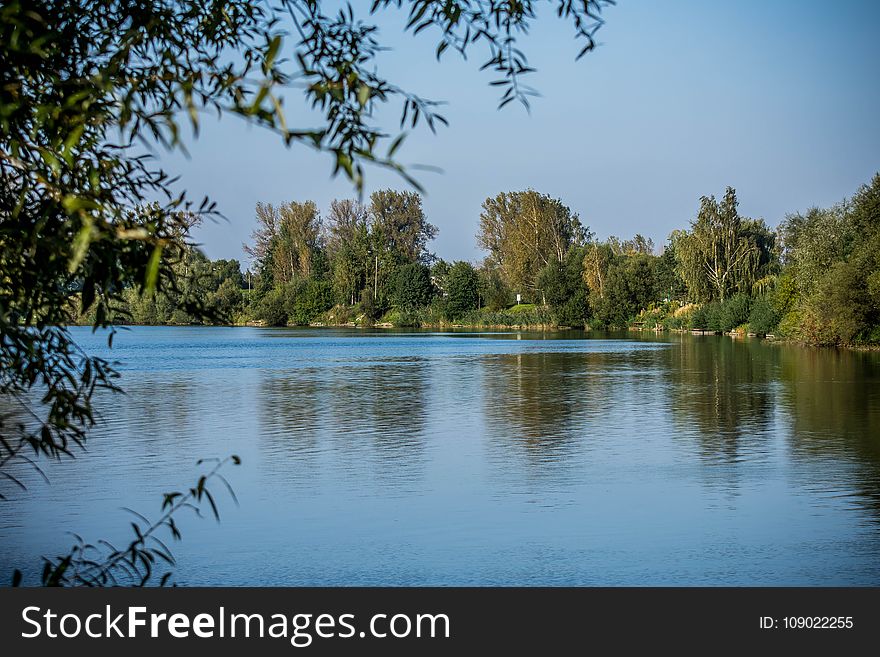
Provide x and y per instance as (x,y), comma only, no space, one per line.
(524,231)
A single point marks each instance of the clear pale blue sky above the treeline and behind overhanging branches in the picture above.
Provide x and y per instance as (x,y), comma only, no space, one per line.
(681,99)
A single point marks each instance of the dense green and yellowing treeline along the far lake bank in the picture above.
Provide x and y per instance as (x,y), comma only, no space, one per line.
(816,278)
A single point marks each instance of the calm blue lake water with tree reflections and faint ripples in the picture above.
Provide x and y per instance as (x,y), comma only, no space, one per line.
(393,458)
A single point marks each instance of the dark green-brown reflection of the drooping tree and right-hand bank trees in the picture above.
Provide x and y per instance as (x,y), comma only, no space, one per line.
(743,401)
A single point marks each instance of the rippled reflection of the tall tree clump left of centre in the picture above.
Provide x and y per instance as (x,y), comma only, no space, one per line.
(371,414)
